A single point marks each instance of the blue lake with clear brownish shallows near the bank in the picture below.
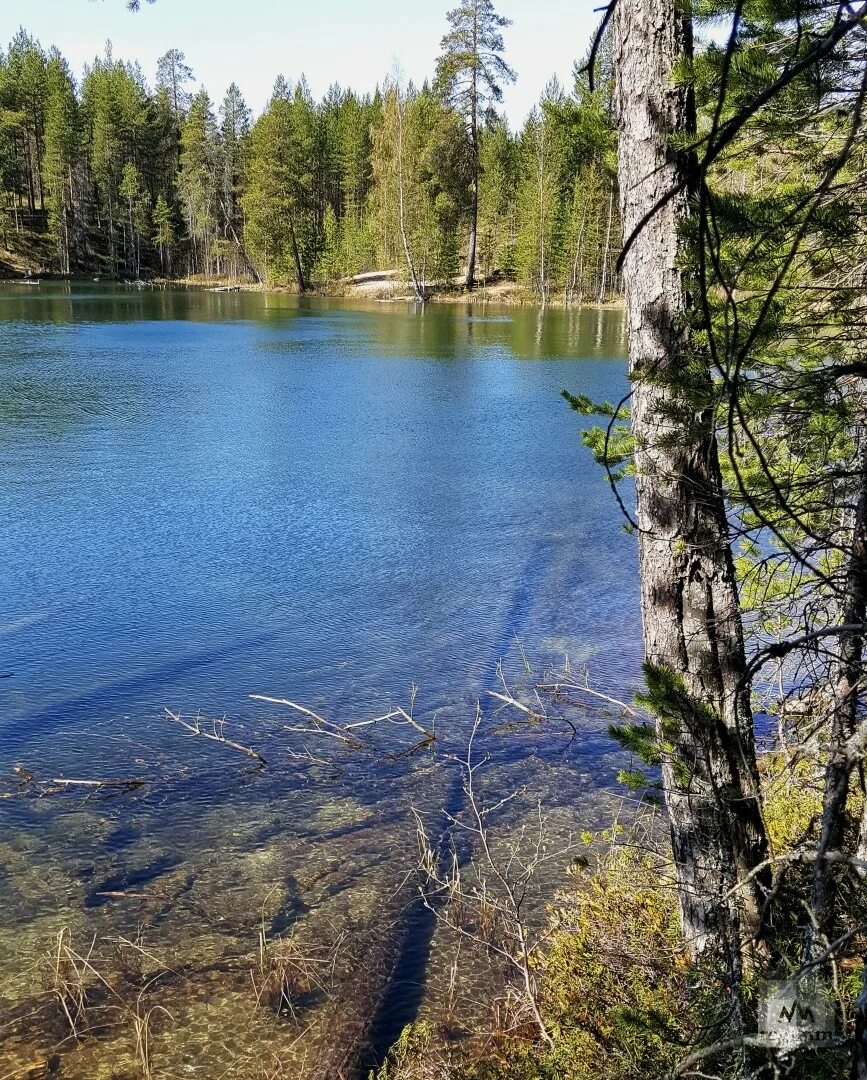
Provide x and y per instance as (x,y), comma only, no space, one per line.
(211,496)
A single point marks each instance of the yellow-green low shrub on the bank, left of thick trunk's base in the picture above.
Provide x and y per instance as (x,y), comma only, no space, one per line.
(617,990)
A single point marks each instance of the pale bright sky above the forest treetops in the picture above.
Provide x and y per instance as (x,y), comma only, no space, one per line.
(347,42)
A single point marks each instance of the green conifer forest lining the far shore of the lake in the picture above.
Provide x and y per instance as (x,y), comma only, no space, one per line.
(113,174)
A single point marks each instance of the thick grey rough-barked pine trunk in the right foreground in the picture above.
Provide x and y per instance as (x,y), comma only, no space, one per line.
(689,600)
